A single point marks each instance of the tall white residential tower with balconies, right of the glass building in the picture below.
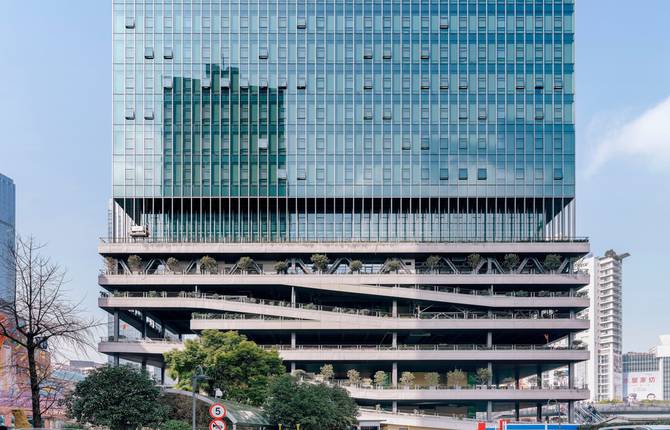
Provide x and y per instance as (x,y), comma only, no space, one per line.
(603,372)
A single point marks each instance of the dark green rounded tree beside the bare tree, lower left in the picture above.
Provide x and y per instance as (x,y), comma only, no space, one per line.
(118,397)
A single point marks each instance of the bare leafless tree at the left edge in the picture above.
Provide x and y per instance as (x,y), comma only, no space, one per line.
(41,318)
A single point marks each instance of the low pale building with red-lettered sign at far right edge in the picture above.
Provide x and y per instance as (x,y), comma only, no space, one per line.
(646,375)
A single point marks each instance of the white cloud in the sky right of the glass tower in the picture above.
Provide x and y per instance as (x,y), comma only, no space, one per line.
(646,137)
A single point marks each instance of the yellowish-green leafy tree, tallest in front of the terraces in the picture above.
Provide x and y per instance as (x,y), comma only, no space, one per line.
(237,366)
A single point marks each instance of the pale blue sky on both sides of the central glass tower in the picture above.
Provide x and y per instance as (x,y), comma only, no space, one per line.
(55,117)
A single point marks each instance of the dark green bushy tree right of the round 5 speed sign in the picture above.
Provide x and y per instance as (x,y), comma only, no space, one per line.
(312,406)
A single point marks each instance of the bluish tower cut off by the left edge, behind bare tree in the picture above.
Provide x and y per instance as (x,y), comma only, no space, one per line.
(7,236)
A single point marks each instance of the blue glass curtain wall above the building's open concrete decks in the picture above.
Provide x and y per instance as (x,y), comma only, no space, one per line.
(357,120)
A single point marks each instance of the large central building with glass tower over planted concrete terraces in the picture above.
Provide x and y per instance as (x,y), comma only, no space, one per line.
(381,186)
